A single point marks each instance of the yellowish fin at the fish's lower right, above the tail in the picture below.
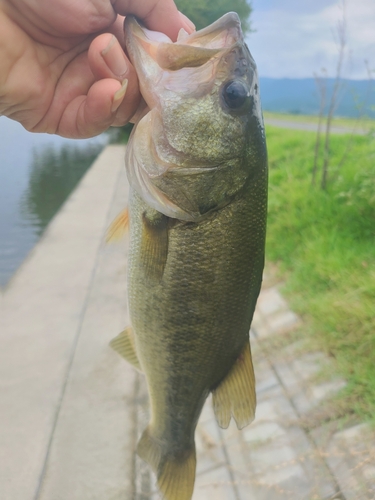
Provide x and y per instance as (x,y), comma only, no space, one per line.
(235,396)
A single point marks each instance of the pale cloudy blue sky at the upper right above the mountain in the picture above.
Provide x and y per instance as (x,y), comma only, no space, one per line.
(297,38)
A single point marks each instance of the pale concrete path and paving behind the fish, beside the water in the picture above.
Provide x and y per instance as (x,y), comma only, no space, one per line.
(71,410)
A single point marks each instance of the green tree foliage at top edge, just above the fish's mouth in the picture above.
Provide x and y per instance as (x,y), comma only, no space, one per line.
(205,12)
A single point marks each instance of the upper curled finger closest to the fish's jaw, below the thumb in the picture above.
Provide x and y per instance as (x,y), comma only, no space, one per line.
(108,60)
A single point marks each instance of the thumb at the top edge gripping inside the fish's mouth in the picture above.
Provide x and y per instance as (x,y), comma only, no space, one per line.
(158,15)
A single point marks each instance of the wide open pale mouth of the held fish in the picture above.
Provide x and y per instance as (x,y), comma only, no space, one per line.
(155,57)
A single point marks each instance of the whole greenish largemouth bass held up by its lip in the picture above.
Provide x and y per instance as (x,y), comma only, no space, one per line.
(197,168)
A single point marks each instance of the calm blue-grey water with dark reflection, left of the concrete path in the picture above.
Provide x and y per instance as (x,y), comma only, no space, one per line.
(37,174)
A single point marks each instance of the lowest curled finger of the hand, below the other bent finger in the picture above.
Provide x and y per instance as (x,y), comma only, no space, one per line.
(87,116)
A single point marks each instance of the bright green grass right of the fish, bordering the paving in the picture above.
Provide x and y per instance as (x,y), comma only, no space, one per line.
(324,245)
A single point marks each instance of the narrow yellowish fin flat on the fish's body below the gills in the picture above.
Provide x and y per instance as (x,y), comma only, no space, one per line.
(154,243)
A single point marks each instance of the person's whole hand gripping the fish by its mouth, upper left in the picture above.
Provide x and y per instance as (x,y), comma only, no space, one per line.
(62,66)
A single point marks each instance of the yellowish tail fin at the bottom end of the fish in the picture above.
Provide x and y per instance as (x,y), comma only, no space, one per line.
(175,476)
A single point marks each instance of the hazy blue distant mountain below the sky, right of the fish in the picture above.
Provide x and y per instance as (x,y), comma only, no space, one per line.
(300,96)
